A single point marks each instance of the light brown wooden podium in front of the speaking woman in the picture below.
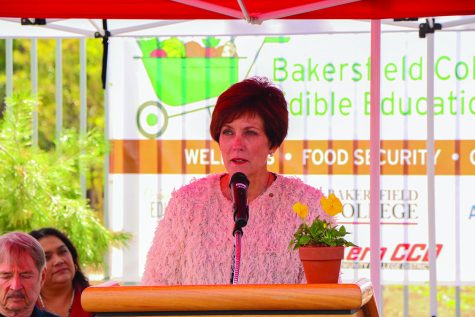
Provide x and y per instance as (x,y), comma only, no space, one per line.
(232,300)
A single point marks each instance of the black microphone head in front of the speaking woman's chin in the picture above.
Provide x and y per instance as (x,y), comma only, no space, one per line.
(239,185)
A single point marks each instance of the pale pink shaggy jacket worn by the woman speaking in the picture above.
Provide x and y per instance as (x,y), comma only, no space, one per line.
(193,243)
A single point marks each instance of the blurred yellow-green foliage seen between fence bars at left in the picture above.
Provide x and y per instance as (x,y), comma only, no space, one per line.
(46,49)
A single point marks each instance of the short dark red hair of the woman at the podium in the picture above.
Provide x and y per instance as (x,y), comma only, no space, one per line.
(253,96)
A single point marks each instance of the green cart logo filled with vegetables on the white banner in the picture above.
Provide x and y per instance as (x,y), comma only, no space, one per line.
(185,73)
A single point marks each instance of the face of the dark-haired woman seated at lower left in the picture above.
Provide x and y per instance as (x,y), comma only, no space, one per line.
(59,262)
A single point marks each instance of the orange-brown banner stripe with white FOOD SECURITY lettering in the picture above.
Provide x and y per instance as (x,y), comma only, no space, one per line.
(313,157)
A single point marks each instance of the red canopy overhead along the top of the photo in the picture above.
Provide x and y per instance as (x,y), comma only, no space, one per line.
(225,9)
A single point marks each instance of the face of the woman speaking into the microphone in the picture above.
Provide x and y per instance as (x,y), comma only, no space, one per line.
(244,146)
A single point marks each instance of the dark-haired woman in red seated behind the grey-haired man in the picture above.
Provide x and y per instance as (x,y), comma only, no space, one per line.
(61,292)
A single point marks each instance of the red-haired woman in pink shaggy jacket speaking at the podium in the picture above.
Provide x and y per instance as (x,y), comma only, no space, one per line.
(194,242)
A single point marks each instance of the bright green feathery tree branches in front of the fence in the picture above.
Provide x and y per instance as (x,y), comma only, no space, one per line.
(41,187)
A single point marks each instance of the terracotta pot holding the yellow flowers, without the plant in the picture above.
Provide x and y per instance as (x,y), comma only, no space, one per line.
(321,264)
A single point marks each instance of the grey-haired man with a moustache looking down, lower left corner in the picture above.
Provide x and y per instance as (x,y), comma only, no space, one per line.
(22,273)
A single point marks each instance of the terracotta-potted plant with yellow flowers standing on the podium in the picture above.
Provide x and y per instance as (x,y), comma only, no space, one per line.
(320,242)
